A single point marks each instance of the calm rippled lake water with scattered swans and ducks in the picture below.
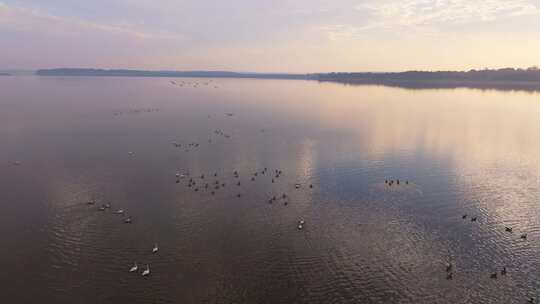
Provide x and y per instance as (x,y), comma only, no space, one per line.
(67,141)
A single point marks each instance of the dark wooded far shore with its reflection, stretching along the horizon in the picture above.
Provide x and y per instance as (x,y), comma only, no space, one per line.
(502,79)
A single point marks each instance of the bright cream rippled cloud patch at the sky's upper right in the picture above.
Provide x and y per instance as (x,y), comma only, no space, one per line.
(426,17)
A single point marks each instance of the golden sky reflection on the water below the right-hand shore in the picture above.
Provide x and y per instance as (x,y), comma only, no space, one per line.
(466,126)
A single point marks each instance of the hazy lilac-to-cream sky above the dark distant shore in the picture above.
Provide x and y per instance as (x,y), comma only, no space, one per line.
(277,35)
